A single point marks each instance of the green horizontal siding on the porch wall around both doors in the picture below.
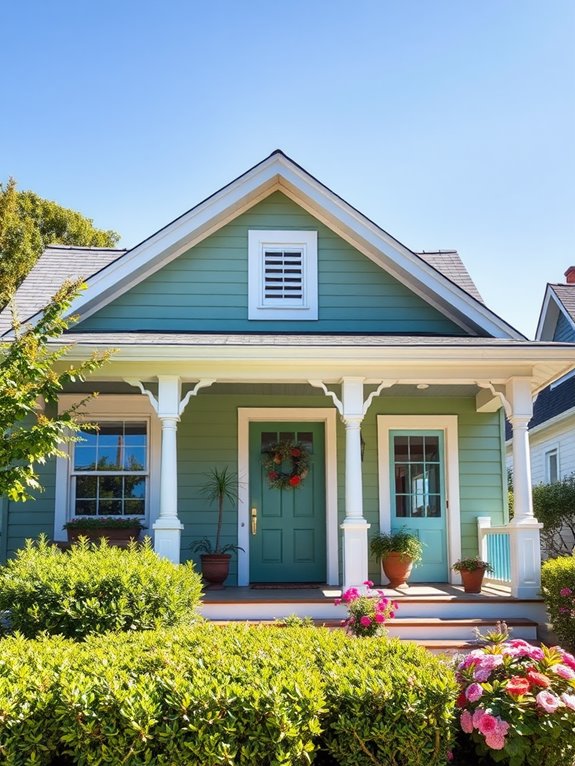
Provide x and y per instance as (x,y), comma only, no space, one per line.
(207,436)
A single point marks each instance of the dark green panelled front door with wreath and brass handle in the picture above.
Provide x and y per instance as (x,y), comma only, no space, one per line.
(287,525)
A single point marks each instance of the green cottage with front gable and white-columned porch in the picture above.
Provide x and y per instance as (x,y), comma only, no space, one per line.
(274,311)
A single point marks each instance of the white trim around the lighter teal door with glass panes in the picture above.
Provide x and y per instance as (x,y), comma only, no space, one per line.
(449,425)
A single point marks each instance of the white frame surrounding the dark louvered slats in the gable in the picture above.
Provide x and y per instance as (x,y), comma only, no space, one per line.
(260,308)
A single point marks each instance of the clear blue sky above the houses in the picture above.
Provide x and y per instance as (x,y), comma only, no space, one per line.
(451,123)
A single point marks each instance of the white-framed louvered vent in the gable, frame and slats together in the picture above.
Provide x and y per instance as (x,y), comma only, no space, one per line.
(282,275)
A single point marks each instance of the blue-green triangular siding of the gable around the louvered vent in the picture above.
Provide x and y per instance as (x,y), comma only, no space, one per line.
(206,288)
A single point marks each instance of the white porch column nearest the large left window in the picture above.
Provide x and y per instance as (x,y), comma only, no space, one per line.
(167,527)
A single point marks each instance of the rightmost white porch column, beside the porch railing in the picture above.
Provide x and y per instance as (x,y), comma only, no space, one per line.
(524,527)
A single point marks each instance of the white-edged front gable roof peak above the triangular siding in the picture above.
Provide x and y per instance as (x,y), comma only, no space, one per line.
(448,289)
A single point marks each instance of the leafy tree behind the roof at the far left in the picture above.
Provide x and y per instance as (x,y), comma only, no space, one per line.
(28,224)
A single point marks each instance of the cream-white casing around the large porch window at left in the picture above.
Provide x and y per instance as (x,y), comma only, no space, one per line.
(114,408)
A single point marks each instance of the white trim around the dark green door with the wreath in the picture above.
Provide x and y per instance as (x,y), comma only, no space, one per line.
(325,415)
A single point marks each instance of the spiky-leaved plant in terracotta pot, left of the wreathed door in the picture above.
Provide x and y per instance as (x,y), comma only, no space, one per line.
(220,485)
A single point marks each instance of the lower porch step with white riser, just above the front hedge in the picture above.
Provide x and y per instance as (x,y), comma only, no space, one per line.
(436,633)
